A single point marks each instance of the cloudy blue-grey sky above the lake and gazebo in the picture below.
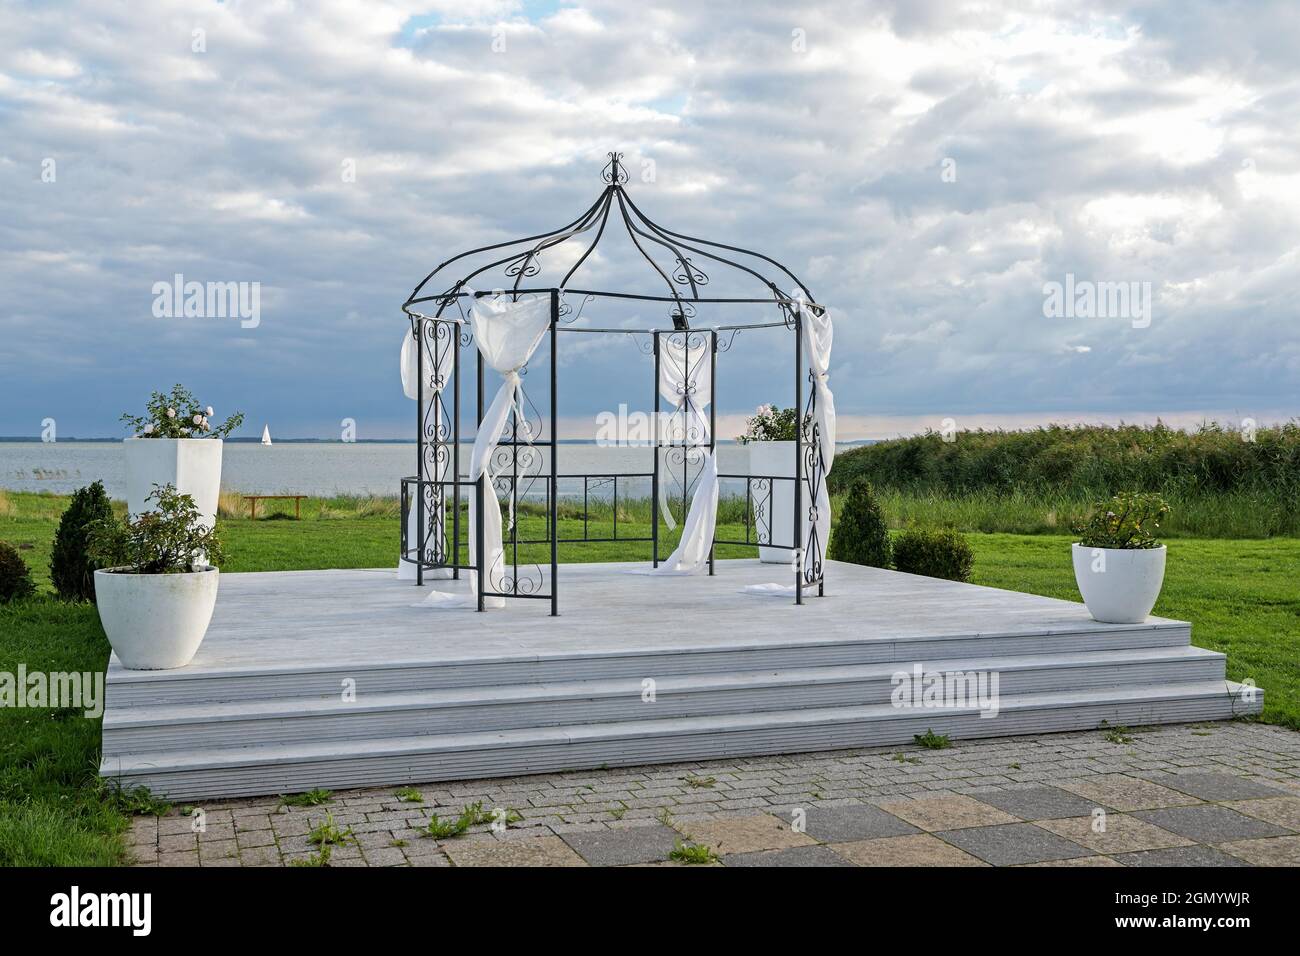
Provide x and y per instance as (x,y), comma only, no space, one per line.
(925,167)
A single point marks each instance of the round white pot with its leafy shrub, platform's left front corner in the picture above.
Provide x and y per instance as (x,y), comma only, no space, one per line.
(159,586)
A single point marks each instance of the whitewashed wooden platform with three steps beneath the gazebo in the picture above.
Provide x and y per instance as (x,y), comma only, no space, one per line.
(456,694)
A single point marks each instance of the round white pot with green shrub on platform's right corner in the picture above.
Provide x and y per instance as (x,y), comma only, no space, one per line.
(1119,564)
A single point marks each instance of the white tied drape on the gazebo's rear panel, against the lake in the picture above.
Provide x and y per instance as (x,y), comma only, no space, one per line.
(686,382)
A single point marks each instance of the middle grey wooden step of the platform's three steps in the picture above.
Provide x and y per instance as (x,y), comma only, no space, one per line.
(456,711)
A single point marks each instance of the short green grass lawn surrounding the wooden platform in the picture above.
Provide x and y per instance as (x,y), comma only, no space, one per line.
(1242,598)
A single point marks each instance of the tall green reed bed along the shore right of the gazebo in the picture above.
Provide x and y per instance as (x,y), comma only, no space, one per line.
(1217,483)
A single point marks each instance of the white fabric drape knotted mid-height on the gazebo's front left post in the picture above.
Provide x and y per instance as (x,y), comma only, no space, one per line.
(508,334)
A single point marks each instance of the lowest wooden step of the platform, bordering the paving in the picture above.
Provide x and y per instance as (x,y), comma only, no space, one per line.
(396,762)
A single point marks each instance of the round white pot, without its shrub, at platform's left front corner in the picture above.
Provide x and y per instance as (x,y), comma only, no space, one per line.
(155,622)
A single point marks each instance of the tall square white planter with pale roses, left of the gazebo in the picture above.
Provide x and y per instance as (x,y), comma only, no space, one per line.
(176,444)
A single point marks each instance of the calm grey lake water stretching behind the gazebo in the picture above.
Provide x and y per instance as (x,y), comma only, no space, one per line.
(302,469)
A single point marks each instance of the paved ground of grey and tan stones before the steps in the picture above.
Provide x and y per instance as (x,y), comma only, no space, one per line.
(1215,794)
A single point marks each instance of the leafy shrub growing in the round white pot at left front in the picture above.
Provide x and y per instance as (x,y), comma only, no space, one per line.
(171,539)
